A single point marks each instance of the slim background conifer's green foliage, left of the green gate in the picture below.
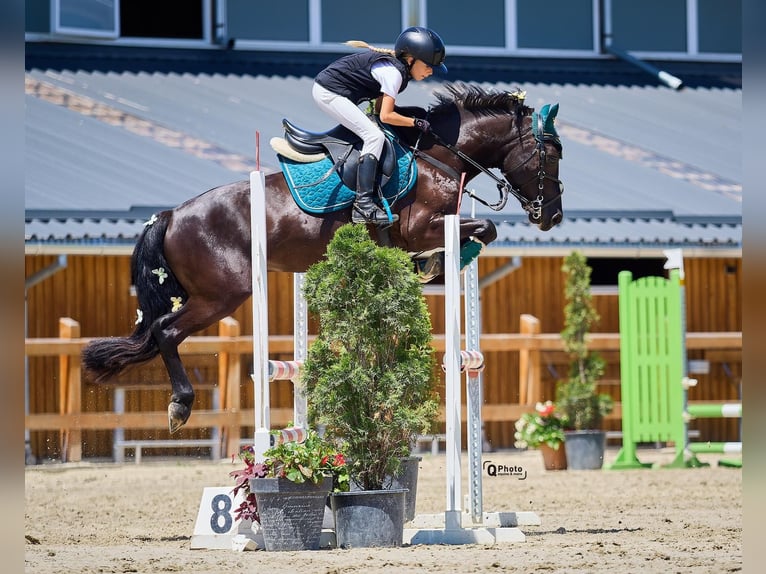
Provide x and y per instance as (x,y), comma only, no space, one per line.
(577,397)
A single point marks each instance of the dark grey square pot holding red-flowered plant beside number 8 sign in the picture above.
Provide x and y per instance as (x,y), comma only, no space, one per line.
(291,513)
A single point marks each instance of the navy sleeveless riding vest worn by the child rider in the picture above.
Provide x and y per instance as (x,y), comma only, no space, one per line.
(351,76)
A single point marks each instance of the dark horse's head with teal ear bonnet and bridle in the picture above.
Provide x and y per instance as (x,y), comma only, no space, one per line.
(534,174)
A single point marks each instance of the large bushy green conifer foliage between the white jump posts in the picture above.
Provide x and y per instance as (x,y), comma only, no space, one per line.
(369,374)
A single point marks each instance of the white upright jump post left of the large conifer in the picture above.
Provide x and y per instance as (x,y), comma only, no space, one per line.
(259,271)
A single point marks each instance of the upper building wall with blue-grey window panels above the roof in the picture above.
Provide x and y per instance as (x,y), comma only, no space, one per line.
(671,28)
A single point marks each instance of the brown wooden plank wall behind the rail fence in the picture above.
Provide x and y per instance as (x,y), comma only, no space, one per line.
(95,291)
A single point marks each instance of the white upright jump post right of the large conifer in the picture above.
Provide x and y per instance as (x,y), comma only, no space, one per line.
(452,515)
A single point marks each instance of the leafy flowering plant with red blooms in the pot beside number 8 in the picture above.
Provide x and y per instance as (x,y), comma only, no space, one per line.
(311,460)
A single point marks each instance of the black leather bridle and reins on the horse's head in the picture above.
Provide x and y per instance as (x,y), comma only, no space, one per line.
(533,207)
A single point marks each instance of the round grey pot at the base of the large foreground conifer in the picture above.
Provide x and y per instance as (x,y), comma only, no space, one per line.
(369,518)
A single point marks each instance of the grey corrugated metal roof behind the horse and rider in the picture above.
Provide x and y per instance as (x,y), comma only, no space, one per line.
(645,167)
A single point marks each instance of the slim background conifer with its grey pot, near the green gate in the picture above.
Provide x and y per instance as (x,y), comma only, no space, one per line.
(577,398)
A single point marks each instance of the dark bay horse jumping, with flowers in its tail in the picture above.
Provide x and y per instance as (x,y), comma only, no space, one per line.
(192,264)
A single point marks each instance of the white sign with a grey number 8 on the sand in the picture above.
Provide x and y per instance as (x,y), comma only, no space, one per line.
(216,526)
